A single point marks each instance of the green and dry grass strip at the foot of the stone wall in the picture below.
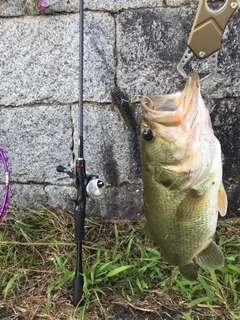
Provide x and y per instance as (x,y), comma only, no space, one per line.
(121,265)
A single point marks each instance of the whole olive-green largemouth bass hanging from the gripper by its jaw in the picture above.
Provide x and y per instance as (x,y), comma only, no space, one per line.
(182,178)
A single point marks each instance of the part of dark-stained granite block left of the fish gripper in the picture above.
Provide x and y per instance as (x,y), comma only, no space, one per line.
(149,45)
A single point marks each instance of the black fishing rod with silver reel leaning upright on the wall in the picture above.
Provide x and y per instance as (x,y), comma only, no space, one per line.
(86,185)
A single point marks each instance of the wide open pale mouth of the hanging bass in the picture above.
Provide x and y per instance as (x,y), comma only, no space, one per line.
(171,109)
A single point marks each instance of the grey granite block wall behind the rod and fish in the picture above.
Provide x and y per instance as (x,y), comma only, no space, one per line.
(133,44)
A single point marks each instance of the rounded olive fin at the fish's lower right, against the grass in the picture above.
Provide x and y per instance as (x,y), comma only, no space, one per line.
(211,257)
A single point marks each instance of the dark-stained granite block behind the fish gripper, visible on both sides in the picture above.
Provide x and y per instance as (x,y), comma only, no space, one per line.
(150,44)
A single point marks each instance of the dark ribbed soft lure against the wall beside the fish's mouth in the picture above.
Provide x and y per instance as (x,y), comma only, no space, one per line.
(122,103)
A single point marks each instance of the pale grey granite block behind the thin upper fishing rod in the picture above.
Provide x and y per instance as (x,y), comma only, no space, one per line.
(39,59)
